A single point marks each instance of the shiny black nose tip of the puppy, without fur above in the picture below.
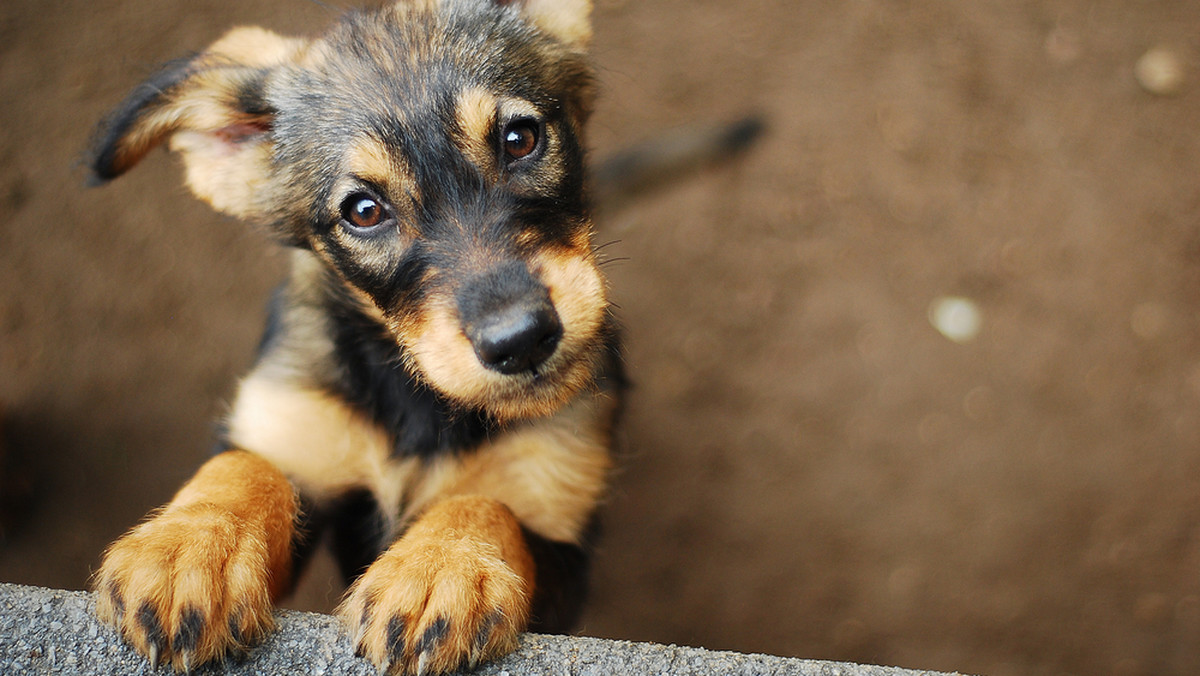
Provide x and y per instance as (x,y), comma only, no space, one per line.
(518,339)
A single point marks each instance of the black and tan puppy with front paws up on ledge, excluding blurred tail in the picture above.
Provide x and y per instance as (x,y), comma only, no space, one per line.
(437,386)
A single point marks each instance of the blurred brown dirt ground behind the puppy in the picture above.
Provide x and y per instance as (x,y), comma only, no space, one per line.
(811,468)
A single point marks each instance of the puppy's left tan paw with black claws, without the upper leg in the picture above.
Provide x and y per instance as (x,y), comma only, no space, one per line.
(188,587)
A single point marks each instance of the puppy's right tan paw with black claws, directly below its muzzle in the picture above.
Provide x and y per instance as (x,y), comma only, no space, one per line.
(437,601)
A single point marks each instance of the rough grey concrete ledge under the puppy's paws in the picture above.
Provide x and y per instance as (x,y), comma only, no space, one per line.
(55,632)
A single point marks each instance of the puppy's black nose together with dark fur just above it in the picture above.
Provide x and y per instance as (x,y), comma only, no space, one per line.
(511,321)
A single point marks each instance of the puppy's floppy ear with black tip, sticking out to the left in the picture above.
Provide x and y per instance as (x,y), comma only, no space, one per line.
(212,110)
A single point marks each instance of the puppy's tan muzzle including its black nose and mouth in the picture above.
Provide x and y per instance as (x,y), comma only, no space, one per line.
(518,340)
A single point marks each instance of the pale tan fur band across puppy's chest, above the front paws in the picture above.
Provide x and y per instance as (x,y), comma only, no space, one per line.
(551,474)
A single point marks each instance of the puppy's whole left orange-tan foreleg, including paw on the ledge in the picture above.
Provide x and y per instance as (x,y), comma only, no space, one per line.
(200,578)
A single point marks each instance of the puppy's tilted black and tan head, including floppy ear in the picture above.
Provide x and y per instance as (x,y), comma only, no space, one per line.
(430,155)
